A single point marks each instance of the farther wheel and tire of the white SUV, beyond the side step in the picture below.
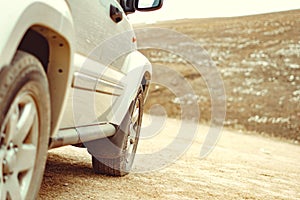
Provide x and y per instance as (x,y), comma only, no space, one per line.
(114,156)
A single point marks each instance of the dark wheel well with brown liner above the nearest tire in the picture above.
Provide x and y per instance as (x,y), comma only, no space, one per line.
(54,53)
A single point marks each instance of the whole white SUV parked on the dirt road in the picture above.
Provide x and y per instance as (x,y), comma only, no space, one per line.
(70,73)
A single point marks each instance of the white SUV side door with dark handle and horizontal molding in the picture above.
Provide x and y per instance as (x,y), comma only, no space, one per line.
(104,38)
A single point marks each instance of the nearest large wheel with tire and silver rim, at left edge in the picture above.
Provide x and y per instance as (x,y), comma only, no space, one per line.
(25,127)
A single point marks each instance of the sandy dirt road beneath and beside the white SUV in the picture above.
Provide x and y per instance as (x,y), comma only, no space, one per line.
(241,166)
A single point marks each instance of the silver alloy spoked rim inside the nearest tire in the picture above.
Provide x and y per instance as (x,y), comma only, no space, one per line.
(18,147)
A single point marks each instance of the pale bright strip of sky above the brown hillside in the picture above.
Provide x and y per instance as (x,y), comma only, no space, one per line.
(179,9)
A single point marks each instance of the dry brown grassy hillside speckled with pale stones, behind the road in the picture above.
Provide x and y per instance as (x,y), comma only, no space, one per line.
(259,60)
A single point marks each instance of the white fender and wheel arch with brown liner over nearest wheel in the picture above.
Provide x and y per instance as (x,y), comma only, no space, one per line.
(52,31)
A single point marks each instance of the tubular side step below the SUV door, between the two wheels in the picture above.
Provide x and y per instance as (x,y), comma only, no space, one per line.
(81,134)
